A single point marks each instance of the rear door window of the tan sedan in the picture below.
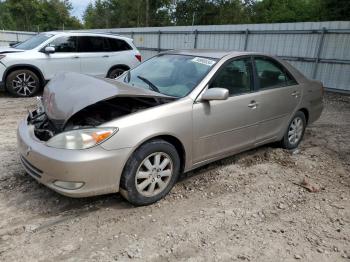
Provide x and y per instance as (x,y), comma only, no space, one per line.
(271,74)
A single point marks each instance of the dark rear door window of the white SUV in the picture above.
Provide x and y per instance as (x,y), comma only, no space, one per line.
(93,44)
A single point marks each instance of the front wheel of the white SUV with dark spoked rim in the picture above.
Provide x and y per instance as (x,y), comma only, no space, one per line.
(22,83)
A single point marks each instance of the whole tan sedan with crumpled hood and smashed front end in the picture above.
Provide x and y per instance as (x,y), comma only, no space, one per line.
(175,112)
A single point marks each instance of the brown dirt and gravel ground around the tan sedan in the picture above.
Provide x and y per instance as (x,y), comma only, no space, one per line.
(249,207)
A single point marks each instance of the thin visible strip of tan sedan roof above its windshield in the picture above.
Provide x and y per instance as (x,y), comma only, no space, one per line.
(212,53)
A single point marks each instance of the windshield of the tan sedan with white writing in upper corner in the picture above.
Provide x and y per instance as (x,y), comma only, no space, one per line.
(172,75)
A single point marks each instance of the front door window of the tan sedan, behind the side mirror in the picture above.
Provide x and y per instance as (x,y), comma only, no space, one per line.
(236,76)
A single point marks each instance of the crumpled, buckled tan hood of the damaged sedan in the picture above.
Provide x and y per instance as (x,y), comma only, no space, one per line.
(68,93)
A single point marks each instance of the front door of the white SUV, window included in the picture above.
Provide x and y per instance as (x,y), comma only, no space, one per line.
(65,58)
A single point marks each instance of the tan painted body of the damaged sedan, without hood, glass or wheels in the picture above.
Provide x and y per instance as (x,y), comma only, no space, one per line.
(207,131)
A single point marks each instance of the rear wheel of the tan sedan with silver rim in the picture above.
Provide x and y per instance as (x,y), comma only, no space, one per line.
(295,131)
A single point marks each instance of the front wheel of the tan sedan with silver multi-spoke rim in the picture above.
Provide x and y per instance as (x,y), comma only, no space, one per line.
(150,173)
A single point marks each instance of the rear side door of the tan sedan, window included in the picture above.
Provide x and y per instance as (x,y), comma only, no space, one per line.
(279,96)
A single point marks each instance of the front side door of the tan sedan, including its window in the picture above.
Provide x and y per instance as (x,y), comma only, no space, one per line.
(222,127)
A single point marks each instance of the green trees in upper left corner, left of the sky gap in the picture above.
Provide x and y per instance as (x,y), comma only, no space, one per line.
(37,15)
